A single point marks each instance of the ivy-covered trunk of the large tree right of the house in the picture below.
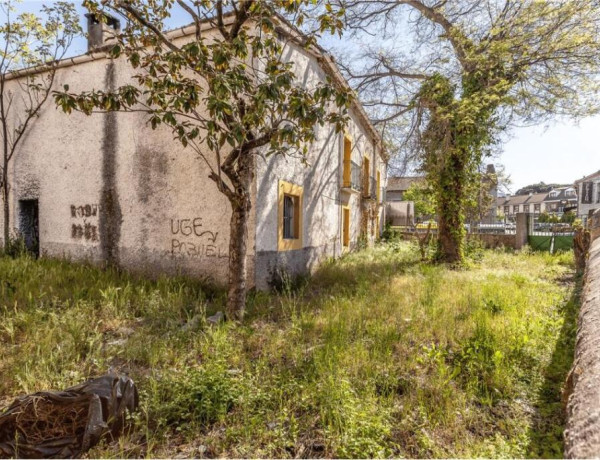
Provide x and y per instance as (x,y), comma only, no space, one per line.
(451,231)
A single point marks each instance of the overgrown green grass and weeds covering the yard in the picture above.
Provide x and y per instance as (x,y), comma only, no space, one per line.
(377,355)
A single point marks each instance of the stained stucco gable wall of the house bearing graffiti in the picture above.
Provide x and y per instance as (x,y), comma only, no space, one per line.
(111,187)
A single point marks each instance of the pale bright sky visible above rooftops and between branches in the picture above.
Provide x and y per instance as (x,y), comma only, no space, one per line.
(559,153)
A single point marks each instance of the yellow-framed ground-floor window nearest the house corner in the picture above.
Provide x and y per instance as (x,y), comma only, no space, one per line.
(289,226)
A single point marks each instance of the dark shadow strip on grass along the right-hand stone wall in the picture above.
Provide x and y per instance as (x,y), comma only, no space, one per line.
(546,433)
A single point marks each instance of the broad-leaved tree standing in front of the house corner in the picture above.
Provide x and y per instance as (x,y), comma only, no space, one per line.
(227,93)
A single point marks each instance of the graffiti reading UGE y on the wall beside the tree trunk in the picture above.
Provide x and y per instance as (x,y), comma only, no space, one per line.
(189,238)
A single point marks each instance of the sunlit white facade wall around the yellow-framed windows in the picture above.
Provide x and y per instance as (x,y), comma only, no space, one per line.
(323,199)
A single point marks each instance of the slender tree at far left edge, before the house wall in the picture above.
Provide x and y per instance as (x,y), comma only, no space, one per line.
(26,41)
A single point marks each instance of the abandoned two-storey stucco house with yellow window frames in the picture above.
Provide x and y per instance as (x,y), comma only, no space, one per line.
(109,188)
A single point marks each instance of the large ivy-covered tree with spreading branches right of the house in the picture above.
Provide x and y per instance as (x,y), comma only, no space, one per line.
(452,75)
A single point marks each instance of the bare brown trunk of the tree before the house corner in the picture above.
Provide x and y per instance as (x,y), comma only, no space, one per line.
(238,238)
